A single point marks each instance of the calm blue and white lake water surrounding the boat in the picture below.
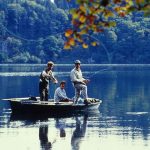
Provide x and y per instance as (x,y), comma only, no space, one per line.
(122,121)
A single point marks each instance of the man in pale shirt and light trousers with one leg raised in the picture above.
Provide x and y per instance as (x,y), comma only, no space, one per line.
(78,81)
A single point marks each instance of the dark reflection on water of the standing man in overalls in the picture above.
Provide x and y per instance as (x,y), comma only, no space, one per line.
(43,136)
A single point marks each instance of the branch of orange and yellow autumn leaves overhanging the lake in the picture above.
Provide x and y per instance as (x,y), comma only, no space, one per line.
(94,16)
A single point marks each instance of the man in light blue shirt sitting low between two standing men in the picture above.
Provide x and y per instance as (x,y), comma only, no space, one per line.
(60,93)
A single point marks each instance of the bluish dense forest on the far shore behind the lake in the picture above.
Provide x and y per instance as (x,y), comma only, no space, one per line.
(32,31)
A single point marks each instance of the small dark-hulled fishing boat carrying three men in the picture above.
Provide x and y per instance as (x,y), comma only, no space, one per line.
(33,105)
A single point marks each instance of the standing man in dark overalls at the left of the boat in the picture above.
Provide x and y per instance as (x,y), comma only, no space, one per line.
(45,77)
